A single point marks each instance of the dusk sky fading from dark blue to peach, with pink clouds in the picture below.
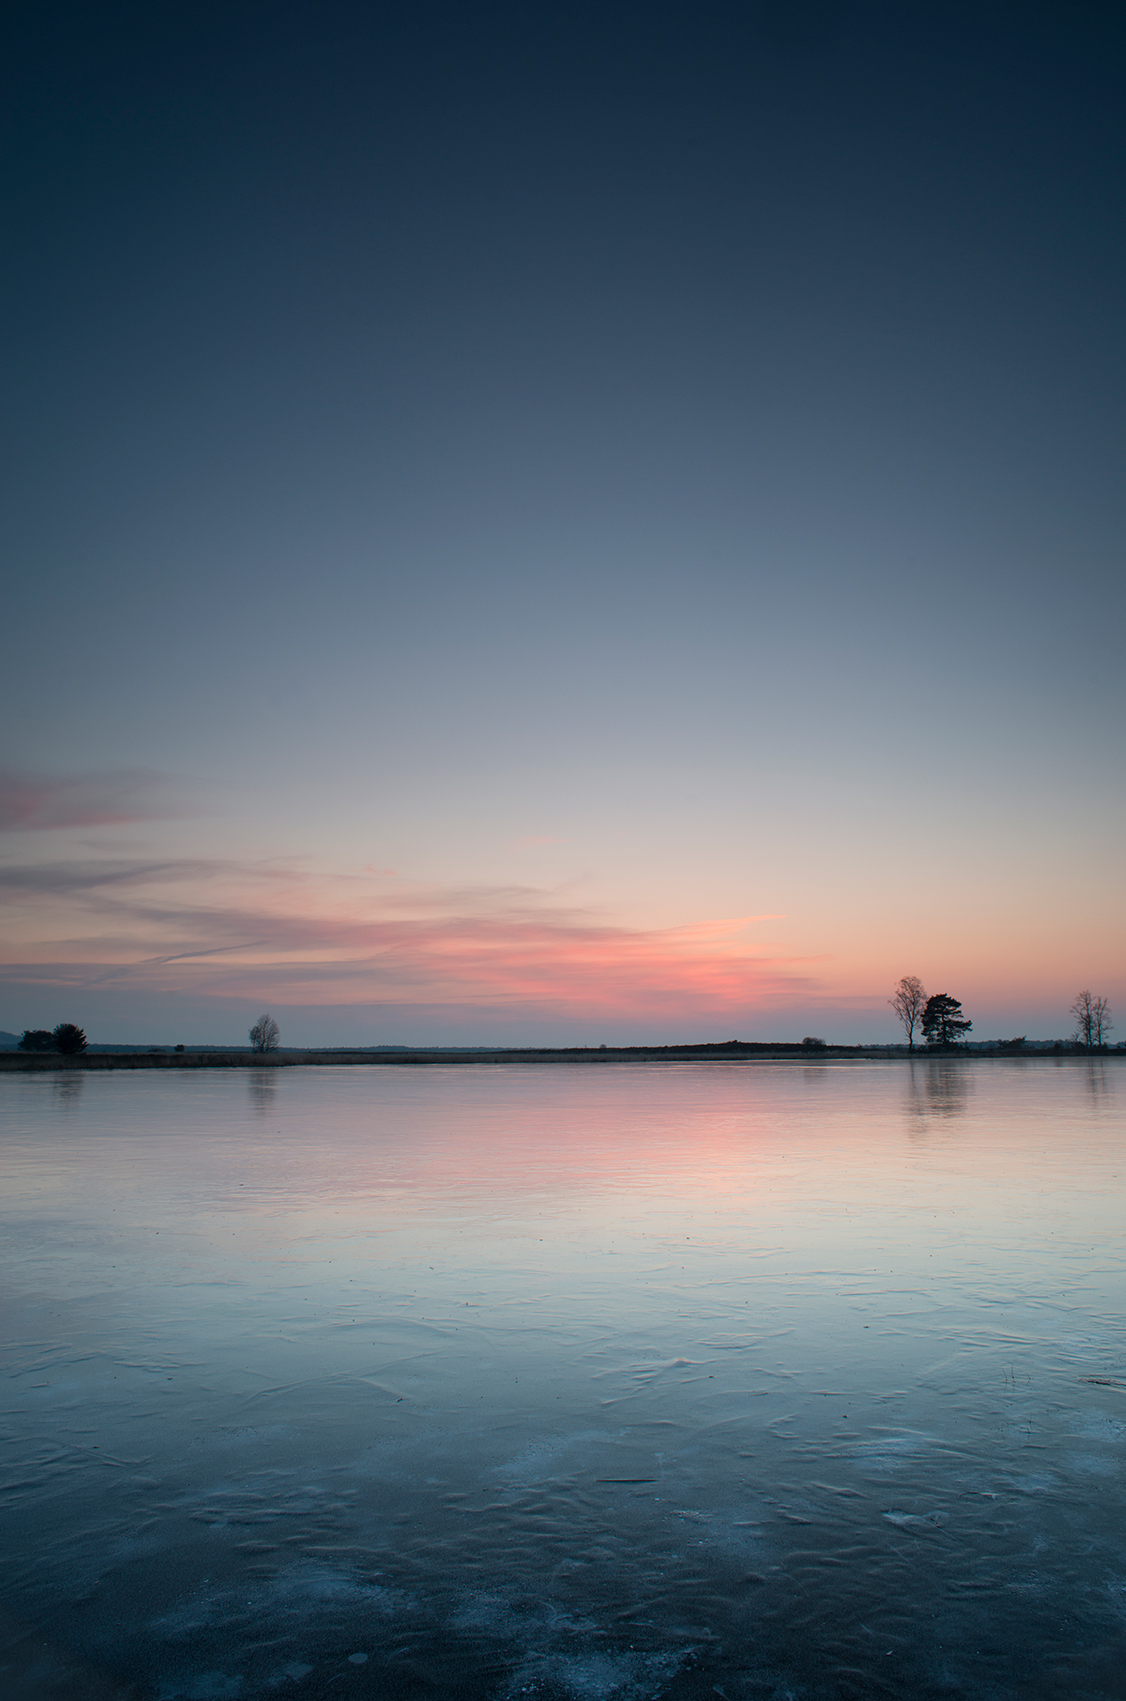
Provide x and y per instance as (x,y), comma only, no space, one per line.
(562,525)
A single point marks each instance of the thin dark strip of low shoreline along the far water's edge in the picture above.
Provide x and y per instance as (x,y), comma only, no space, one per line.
(725,1052)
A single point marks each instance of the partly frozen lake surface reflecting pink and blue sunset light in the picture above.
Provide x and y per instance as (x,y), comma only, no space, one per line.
(569,1384)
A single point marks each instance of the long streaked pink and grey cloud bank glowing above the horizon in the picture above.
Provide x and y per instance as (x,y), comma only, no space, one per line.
(290,936)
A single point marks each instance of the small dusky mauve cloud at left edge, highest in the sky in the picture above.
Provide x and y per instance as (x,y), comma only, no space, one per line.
(42,802)
